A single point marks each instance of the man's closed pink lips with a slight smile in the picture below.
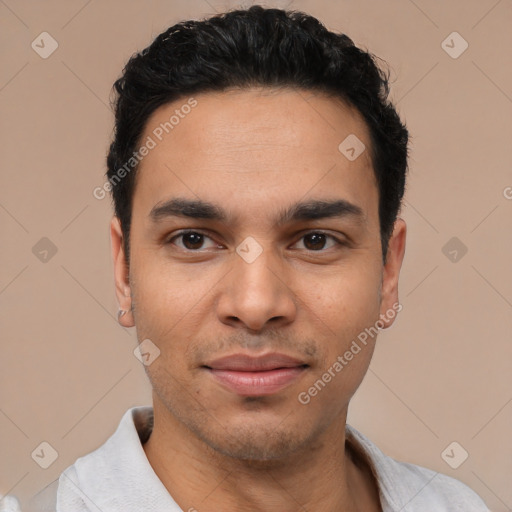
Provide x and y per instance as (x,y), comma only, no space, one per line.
(256,376)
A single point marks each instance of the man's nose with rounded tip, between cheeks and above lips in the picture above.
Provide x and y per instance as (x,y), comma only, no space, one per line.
(256,295)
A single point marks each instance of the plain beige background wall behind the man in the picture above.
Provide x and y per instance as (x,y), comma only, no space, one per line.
(442,373)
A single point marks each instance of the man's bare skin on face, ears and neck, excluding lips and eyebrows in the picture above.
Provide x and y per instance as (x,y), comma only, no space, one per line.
(254,152)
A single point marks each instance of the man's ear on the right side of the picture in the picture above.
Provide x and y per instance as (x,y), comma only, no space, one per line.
(389,305)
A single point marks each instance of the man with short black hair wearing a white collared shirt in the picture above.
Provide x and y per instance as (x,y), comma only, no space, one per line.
(257,171)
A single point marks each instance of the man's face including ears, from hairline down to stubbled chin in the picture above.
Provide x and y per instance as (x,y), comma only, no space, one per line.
(285,295)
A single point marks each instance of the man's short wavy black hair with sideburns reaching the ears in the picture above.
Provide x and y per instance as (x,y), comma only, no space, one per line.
(256,47)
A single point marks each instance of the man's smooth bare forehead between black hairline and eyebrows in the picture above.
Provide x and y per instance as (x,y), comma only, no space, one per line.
(255,146)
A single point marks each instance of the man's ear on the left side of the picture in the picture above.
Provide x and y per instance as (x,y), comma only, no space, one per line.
(121,273)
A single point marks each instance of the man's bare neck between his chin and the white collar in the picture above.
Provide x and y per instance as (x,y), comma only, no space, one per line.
(326,477)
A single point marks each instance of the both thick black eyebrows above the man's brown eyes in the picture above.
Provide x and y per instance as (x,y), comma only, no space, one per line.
(301,211)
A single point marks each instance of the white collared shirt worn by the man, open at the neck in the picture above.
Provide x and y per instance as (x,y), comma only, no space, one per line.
(117,477)
